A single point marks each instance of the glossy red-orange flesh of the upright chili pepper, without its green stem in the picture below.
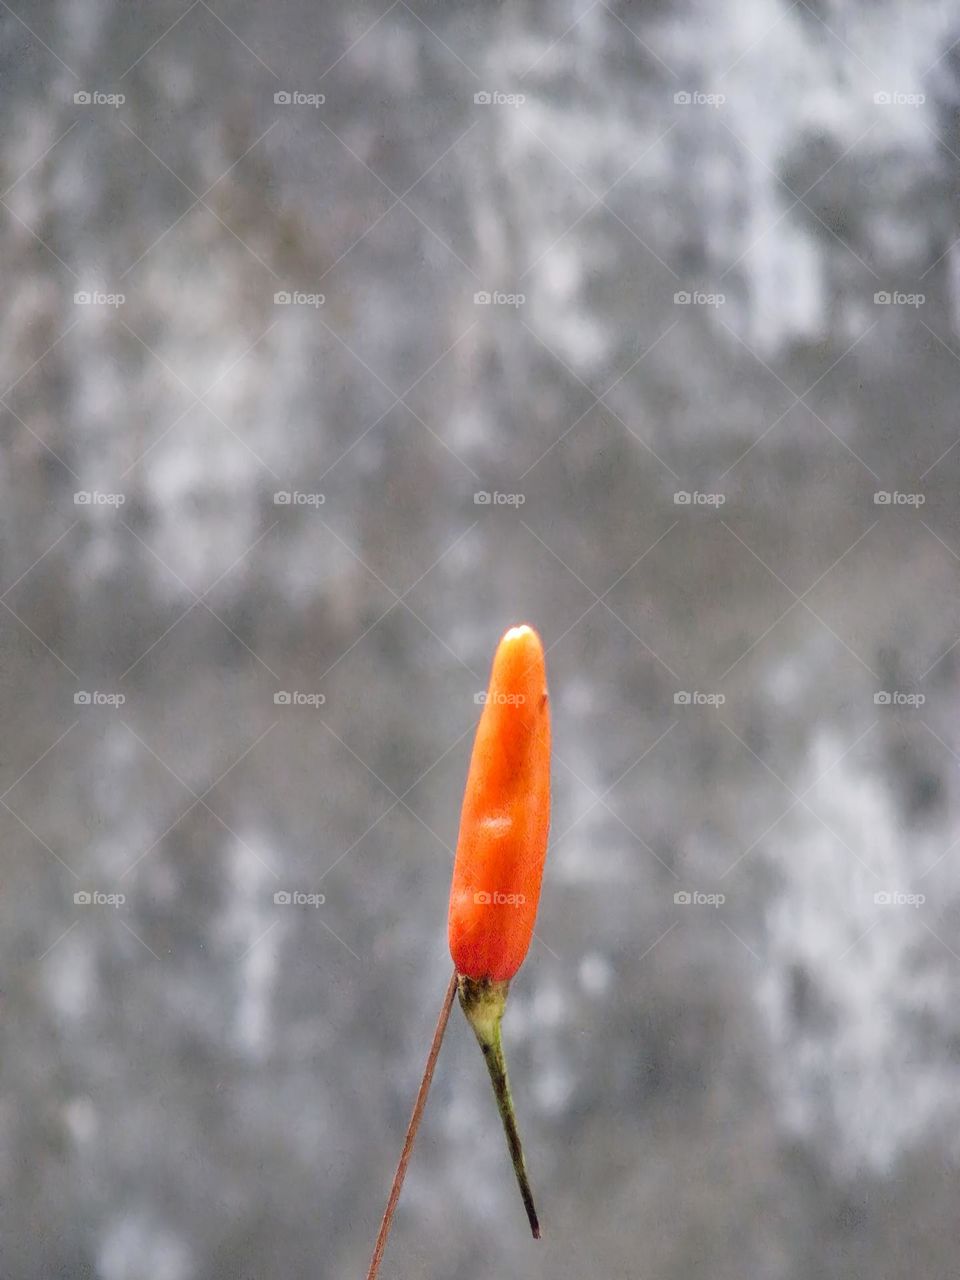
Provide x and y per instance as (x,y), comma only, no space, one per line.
(506,817)
